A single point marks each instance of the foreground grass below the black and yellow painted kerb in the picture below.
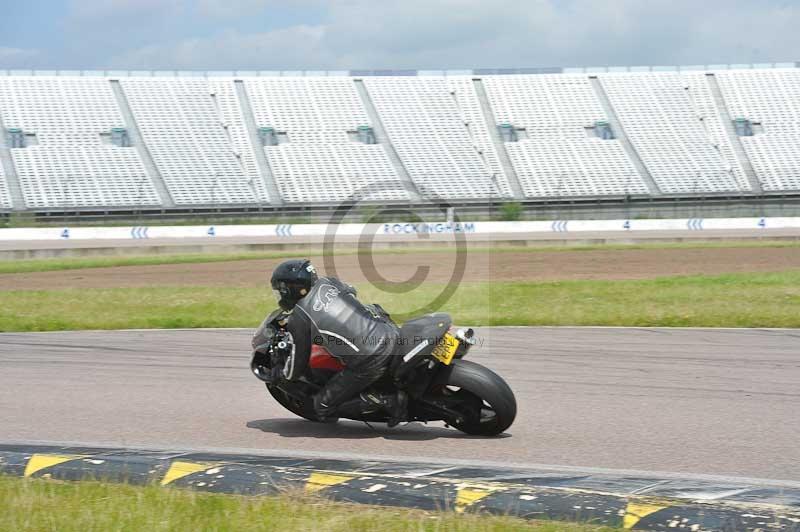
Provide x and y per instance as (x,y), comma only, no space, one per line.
(42,505)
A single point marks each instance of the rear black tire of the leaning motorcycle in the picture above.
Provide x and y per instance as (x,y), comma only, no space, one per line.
(480,384)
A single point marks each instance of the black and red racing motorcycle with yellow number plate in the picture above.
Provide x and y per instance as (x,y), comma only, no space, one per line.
(428,365)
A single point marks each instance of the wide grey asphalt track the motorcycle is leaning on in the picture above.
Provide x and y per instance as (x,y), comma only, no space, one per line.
(721,402)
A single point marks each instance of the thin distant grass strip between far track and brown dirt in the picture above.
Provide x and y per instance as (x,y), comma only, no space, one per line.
(54,264)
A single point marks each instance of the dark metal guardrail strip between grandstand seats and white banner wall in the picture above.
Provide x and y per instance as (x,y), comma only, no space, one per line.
(723,205)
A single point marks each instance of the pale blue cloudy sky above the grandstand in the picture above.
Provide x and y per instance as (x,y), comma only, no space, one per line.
(389,34)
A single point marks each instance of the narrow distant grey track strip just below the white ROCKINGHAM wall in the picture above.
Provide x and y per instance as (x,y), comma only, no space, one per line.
(174,245)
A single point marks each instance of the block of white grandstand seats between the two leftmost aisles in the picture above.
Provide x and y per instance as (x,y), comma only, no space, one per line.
(69,166)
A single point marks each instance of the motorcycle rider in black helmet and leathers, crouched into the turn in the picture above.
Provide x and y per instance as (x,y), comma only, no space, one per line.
(361,336)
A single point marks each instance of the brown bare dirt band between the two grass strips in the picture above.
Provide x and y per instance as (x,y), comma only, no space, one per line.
(479,266)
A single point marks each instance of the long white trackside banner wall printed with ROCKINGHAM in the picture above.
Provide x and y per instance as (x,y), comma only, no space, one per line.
(399,229)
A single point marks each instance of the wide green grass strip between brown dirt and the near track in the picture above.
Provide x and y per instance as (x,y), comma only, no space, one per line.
(735,300)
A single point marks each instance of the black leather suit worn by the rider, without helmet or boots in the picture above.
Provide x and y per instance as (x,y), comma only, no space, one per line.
(361,338)
